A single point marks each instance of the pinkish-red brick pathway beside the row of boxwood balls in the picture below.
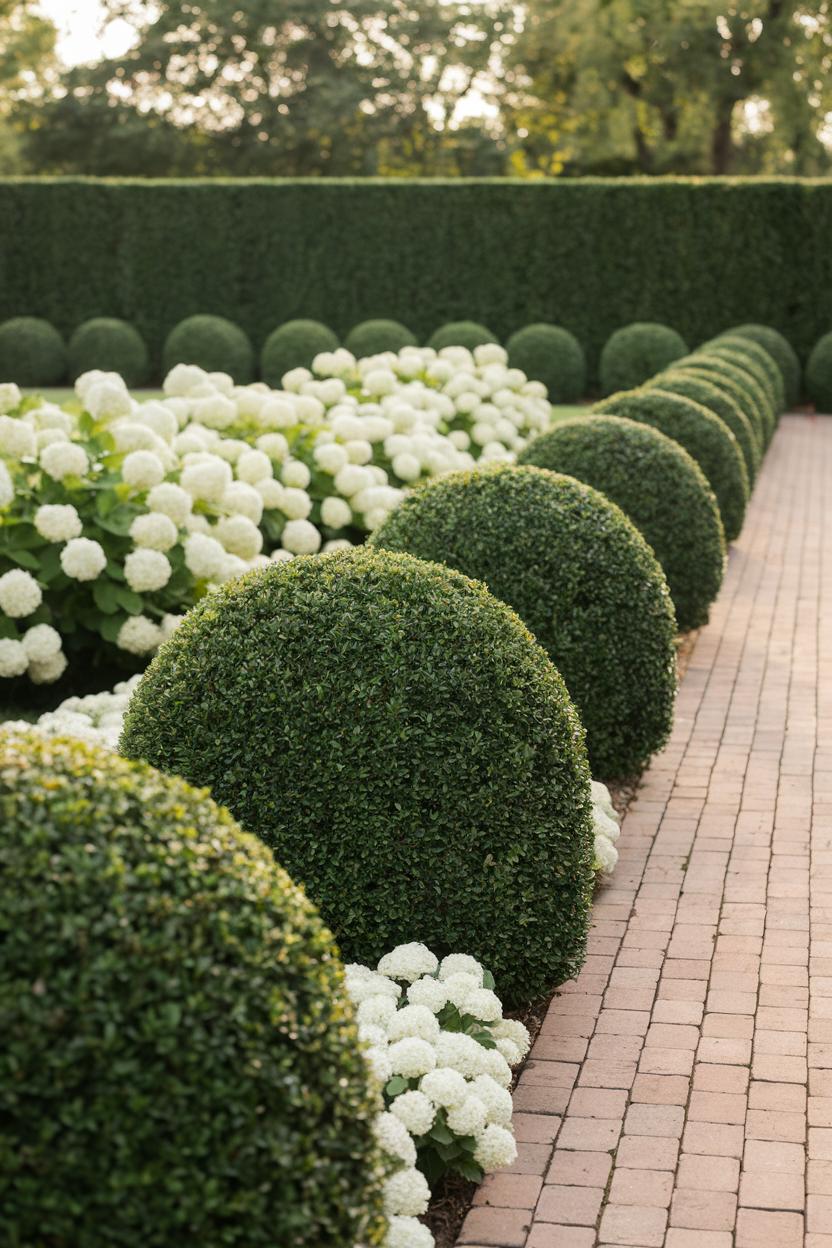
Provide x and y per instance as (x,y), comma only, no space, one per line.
(680,1091)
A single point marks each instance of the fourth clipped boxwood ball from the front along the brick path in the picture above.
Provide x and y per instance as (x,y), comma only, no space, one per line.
(659,486)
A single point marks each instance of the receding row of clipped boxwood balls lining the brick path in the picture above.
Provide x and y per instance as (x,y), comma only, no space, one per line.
(392,731)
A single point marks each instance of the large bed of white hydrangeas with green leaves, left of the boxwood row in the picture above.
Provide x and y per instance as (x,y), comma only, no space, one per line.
(117,515)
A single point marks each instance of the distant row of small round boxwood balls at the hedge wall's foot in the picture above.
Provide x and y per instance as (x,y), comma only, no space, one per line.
(34,354)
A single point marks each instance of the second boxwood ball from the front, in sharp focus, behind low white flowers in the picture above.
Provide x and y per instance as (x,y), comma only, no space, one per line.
(397,737)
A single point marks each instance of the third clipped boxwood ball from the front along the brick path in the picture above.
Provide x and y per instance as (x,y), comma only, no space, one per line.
(581,576)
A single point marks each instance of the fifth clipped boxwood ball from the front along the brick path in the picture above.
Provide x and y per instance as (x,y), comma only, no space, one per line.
(703,435)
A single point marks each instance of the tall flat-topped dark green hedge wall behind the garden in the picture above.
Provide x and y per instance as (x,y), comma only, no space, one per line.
(591,255)
